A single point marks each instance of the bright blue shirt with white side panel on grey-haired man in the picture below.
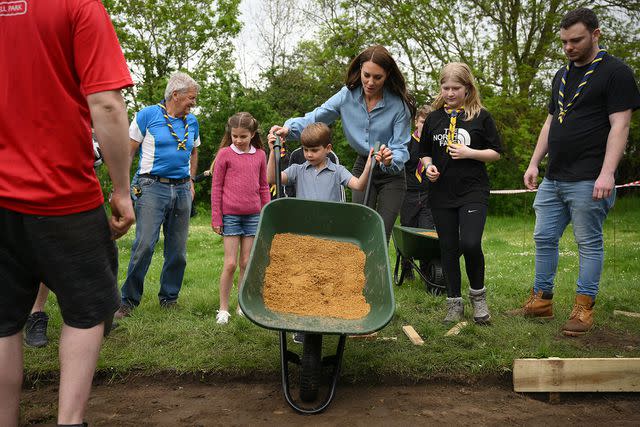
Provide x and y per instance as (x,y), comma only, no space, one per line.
(159,154)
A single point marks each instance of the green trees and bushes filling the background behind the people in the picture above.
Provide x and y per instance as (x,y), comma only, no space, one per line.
(513,48)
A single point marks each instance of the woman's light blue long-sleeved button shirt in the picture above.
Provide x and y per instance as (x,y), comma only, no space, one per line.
(388,123)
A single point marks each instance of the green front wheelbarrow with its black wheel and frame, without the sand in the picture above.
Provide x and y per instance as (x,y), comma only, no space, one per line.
(345,222)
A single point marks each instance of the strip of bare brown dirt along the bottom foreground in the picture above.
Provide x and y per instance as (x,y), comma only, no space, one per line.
(175,401)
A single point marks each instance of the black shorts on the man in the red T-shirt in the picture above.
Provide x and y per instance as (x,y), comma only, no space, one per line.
(72,254)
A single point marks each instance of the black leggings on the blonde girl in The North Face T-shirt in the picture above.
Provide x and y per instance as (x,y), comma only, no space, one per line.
(460,233)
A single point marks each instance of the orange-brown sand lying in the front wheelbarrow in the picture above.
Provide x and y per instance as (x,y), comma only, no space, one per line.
(315,277)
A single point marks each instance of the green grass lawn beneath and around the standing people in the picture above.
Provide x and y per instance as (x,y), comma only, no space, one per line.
(187,340)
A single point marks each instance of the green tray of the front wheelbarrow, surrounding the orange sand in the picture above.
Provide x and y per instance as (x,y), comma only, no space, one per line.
(346,222)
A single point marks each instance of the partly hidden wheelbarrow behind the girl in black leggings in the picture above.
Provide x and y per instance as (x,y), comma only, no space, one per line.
(413,244)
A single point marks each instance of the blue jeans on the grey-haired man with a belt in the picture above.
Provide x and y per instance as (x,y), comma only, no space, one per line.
(169,206)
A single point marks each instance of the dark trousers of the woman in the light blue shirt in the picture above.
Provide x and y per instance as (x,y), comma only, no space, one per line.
(385,196)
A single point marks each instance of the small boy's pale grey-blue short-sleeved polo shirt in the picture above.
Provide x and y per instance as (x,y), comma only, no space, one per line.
(313,184)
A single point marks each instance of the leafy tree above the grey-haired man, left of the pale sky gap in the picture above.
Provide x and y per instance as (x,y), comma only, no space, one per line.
(159,37)
